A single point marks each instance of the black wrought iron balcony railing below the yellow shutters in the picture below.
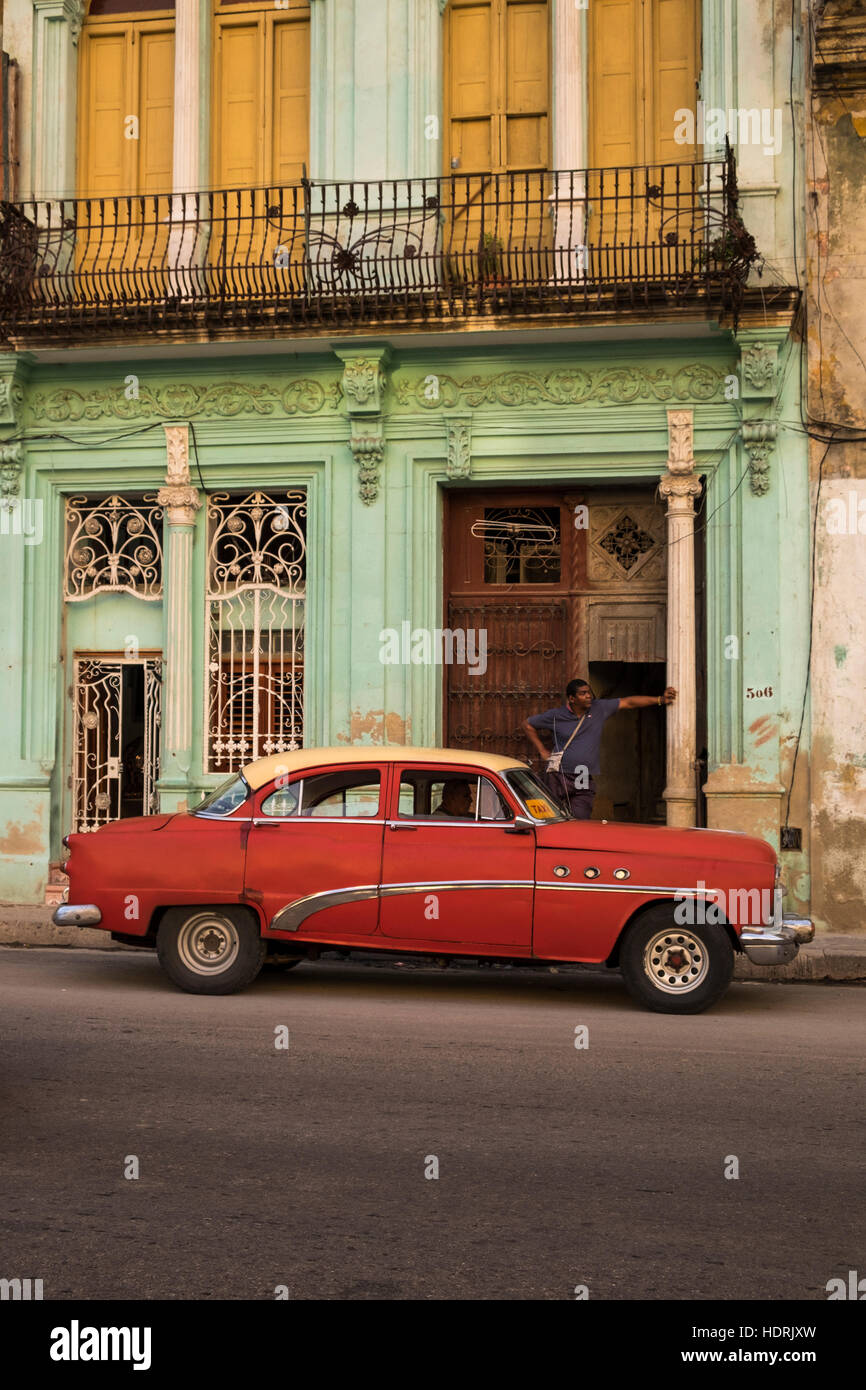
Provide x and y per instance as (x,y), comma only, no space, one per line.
(401,252)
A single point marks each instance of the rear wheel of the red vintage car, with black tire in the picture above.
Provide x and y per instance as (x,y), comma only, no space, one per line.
(211,950)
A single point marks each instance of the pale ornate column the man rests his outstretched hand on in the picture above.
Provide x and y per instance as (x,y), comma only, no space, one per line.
(680,487)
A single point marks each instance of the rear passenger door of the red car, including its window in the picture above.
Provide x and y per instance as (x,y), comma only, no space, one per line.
(315,853)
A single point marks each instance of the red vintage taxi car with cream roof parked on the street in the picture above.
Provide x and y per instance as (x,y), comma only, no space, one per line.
(432,851)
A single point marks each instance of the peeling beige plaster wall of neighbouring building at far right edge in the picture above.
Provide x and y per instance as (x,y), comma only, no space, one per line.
(838,395)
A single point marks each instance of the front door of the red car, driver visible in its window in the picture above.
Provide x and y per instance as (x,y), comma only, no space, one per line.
(457,874)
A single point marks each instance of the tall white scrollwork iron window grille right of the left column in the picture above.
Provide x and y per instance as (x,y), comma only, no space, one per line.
(256,587)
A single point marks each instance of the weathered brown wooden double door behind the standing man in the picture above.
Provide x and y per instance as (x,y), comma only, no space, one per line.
(562,584)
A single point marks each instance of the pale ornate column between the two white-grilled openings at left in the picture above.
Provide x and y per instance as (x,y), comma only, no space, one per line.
(181,502)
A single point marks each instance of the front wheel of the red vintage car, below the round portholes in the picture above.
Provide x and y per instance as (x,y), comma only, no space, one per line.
(675,970)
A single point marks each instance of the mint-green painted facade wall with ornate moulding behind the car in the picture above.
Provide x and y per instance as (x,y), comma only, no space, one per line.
(589,408)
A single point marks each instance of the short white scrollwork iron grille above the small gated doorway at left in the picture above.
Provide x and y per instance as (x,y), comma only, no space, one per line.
(113,544)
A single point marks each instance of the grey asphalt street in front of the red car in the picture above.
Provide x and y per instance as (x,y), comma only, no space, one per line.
(305,1166)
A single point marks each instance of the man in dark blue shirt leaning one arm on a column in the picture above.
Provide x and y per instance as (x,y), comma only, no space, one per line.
(576,730)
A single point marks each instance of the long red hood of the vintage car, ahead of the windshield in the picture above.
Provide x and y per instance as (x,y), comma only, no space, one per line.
(660,842)
